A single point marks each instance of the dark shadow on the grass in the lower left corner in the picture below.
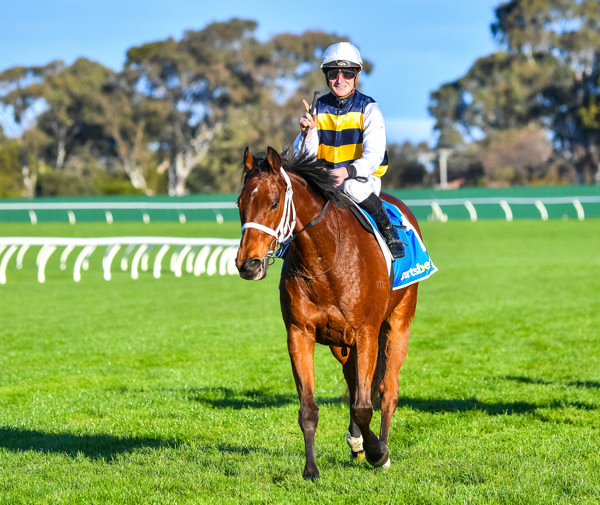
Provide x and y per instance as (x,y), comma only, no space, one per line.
(93,446)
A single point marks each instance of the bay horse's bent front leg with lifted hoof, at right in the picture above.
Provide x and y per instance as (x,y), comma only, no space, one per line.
(362,408)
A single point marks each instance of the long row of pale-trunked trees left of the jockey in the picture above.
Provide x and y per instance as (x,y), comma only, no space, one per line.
(176,106)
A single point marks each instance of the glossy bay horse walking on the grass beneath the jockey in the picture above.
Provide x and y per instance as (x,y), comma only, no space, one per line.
(334,290)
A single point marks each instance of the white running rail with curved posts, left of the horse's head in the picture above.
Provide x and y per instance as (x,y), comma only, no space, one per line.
(195,256)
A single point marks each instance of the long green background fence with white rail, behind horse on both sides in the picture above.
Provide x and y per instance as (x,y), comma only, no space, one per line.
(548,202)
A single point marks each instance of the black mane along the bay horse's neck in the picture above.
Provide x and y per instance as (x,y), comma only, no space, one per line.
(308,168)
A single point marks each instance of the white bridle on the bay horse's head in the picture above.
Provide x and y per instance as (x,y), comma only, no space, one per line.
(284,234)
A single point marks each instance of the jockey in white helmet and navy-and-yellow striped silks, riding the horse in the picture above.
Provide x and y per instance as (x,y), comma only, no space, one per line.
(350,137)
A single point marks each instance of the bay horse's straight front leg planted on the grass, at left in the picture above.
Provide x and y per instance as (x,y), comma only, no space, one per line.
(301,348)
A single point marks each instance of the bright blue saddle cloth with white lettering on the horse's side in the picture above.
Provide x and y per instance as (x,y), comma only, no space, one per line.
(416,265)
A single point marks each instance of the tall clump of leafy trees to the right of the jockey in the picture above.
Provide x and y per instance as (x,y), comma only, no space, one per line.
(546,74)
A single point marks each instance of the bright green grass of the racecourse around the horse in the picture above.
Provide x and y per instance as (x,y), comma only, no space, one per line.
(180,390)
